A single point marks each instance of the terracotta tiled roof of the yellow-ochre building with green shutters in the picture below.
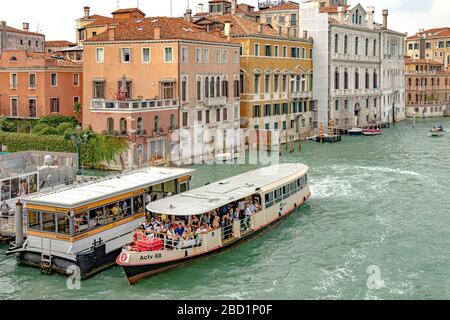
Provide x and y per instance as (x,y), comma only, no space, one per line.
(242,26)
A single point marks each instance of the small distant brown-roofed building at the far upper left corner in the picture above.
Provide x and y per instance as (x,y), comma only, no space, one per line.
(20,39)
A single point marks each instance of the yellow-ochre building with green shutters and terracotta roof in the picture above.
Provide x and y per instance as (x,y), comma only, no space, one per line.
(275,77)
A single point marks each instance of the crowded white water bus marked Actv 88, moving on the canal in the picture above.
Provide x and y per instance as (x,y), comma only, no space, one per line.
(273,192)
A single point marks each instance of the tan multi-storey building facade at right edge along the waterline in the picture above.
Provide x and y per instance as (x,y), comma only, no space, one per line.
(427,88)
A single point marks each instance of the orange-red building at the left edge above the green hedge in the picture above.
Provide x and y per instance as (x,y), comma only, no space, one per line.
(33,85)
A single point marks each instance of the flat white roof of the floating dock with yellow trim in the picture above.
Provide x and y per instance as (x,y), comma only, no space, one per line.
(116,185)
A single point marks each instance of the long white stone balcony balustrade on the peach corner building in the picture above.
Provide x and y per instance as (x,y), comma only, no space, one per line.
(132,105)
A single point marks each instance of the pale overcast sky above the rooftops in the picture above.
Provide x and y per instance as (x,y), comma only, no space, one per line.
(56,18)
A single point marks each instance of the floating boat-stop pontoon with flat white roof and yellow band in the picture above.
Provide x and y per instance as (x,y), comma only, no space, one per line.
(87,225)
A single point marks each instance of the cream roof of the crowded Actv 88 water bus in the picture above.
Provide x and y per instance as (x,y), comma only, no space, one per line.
(220,193)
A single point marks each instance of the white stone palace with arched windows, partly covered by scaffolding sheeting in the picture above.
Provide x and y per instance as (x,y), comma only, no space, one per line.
(358,71)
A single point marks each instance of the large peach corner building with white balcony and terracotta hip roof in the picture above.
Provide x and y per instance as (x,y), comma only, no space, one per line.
(158,81)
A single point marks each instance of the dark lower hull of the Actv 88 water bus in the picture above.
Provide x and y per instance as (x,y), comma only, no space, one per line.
(136,273)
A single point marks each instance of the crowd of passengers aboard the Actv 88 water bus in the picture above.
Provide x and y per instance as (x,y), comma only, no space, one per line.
(189,227)
